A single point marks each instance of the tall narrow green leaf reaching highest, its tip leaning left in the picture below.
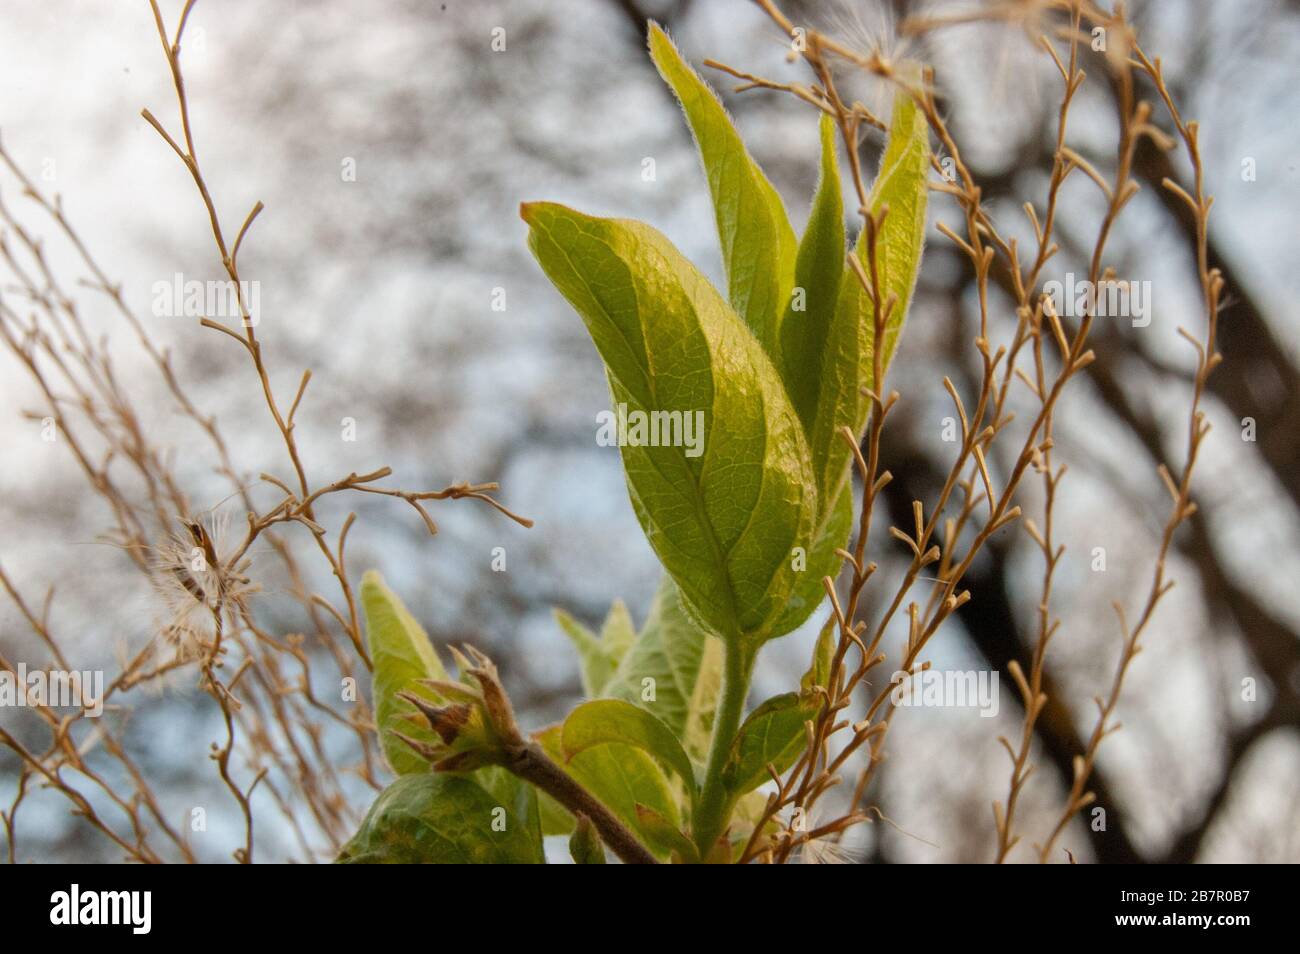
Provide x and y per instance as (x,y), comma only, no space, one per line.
(759,244)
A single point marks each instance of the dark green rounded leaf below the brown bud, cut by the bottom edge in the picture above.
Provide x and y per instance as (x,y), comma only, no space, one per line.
(443,819)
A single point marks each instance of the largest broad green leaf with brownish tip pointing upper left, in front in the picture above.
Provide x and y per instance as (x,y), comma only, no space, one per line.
(722,523)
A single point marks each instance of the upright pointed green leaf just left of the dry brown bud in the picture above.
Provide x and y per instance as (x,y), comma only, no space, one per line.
(402,656)
